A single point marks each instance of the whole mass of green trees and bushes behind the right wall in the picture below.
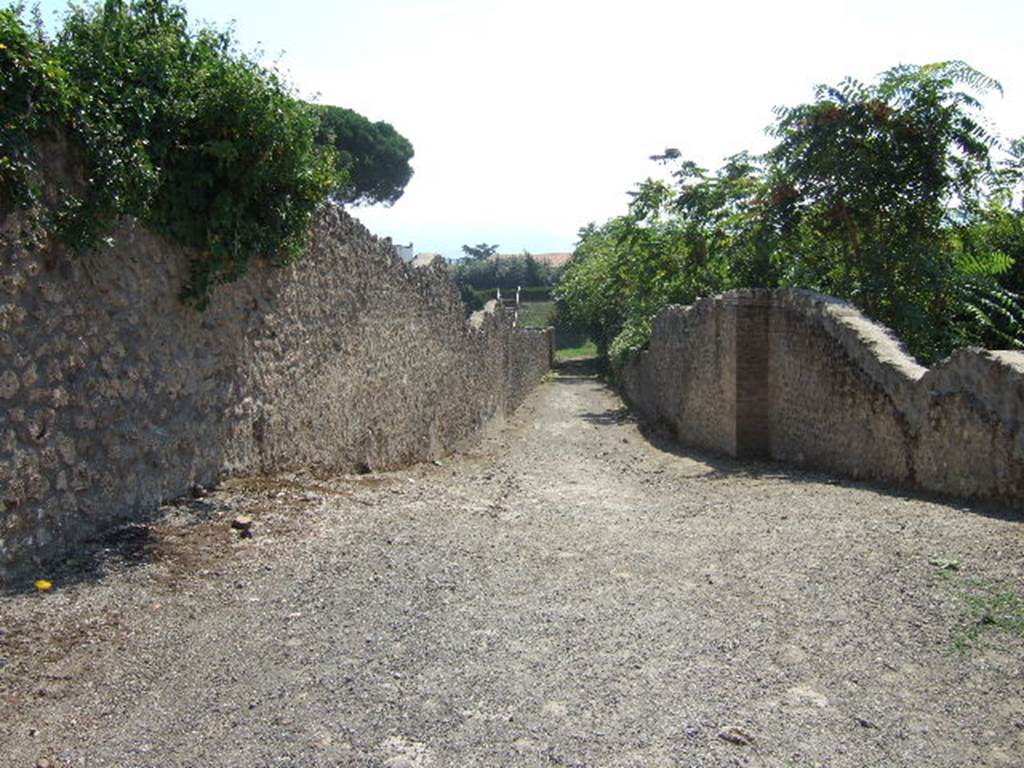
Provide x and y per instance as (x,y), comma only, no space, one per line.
(894,196)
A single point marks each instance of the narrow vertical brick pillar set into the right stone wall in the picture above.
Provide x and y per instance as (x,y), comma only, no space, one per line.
(753,388)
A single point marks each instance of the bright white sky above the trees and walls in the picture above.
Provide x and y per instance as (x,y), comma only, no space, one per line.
(531,118)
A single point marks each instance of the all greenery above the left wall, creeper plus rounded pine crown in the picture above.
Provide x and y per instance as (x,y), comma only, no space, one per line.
(177,127)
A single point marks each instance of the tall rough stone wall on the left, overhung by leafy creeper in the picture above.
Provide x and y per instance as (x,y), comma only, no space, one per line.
(115,398)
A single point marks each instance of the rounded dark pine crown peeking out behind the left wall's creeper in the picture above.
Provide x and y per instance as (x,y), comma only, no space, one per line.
(374,157)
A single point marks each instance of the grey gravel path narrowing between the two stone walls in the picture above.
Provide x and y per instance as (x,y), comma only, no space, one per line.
(570,593)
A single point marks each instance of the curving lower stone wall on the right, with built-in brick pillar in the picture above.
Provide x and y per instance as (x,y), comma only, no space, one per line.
(798,377)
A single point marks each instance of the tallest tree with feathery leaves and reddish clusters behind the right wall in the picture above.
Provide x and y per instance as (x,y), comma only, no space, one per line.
(872,175)
